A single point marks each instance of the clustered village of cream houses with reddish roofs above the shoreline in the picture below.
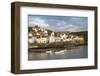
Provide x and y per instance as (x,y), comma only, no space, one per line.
(40,35)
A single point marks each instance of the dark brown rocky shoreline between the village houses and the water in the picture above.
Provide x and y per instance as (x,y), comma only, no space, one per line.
(57,45)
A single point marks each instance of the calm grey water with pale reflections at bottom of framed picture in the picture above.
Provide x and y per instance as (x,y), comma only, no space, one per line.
(62,53)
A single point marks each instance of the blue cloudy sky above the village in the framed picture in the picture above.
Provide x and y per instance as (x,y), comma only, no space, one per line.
(59,23)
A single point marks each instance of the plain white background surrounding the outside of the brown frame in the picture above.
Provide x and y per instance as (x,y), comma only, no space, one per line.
(5,50)
